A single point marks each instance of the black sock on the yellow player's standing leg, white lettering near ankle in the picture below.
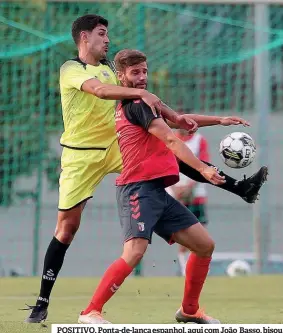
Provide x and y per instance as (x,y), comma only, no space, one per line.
(52,264)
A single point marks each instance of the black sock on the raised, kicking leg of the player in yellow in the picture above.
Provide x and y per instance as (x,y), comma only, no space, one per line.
(231,184)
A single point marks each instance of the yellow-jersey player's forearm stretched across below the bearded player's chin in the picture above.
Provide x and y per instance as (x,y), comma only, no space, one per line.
(112,92)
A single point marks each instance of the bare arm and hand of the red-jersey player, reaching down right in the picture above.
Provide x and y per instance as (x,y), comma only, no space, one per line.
(162,131)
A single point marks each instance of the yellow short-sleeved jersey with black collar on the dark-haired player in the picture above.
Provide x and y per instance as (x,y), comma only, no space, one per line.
(88,120)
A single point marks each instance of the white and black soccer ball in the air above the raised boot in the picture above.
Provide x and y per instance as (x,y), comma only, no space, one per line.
(237,150)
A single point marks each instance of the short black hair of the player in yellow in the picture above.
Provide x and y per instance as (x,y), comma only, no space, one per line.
(86,23)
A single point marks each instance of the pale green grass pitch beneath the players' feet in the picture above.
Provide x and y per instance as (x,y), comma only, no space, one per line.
(145,300)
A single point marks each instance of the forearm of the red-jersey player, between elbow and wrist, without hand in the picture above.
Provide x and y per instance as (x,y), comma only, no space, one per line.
(180,149)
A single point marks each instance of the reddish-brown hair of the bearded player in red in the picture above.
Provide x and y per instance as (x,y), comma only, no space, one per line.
(126,58)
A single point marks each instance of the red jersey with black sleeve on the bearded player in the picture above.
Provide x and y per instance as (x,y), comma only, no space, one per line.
(145,157)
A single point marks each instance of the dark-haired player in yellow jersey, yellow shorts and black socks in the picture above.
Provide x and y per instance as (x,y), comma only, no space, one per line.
(89,89)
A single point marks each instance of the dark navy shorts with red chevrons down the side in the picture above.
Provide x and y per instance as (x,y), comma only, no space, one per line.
(145,207)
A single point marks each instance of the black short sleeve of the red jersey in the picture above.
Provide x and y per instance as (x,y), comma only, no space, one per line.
(140,114)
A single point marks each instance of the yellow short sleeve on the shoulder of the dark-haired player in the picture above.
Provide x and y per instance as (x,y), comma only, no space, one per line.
(73,75)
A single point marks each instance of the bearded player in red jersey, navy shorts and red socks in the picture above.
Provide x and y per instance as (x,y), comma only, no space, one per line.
(148,147)
